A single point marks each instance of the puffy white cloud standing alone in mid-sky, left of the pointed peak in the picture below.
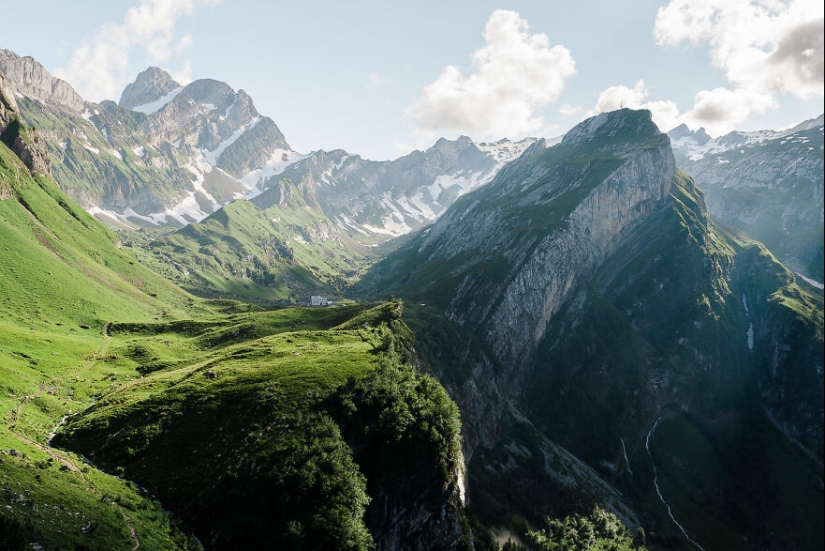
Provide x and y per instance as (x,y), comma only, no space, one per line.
(514,75)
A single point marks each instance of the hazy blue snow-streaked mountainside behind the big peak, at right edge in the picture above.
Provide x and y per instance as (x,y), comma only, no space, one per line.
(767,183)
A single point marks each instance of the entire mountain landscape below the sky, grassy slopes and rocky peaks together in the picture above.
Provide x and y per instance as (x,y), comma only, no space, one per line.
(568,347)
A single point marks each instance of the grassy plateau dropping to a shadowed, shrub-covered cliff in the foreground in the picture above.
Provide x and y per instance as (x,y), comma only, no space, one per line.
(252,404)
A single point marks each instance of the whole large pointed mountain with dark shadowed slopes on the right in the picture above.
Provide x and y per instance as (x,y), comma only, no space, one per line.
(585,303)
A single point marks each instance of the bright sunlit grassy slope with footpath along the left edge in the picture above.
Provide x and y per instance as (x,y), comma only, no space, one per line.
(62,278)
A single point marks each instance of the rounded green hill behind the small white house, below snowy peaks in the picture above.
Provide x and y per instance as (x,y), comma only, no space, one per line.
(288,251)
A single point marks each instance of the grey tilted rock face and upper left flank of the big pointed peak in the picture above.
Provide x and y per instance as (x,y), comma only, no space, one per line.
(521,245)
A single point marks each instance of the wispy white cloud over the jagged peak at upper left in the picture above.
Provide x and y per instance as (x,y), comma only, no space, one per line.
(98,68)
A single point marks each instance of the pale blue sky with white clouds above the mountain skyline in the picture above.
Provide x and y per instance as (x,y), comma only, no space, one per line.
(380,79)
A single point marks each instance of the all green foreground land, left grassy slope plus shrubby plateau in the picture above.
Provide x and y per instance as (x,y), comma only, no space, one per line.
(251,426)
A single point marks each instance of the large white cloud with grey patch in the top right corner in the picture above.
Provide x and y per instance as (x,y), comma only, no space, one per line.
(766,48)
